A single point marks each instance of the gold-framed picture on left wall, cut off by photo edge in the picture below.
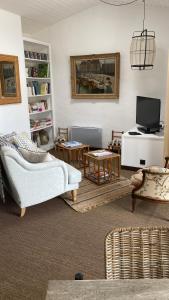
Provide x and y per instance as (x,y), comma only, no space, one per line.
(9,80)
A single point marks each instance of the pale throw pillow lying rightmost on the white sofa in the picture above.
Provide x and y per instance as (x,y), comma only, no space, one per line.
(33,156)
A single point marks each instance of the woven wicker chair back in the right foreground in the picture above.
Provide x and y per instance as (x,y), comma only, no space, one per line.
(133,253)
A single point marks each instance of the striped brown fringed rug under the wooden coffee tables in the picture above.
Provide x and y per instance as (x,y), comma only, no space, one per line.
(91,195)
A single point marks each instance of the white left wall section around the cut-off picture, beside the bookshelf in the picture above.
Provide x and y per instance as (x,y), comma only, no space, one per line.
(13,116)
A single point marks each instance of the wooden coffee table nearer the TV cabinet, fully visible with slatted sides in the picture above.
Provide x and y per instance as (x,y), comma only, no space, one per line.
(101,169)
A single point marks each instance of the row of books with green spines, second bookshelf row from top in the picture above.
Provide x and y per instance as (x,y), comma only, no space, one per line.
(41,71)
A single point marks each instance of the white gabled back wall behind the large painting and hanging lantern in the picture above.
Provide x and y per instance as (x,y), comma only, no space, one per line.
(105,29)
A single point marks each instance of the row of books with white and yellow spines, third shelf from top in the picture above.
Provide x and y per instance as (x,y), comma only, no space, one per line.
(38,88)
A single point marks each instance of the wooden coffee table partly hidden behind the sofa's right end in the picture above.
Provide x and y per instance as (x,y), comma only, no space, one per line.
(72,155)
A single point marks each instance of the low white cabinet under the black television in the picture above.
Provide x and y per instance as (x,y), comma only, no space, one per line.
(142,150)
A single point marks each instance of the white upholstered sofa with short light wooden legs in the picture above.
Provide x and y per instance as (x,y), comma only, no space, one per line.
(33,183)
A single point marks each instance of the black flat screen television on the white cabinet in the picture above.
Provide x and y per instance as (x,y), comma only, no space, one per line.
(148,114)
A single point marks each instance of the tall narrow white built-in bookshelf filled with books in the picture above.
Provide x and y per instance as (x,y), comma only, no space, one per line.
(40,94)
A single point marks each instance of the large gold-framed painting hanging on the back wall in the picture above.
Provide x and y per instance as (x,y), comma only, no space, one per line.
(95,76)
